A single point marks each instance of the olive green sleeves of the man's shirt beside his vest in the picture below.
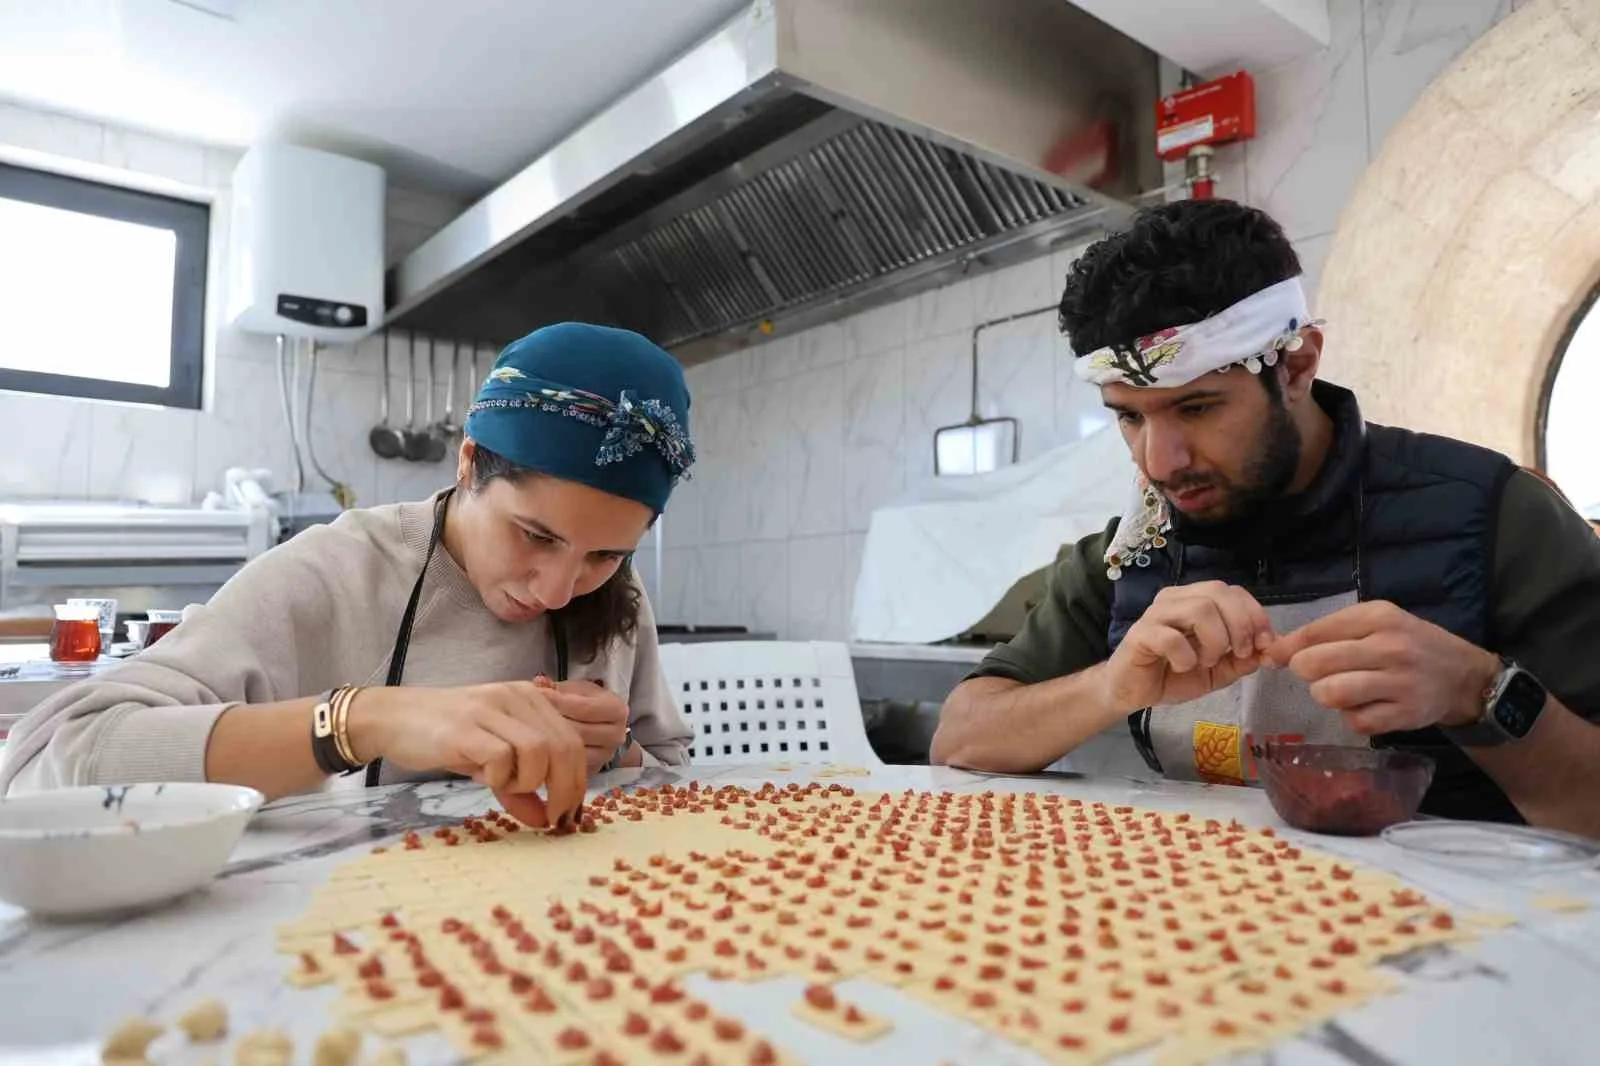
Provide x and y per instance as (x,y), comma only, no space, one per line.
(1546,603)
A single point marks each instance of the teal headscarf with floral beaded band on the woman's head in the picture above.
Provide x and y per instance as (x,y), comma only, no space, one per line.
(590,404)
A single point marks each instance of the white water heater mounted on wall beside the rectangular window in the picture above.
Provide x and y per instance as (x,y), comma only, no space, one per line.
(306,247)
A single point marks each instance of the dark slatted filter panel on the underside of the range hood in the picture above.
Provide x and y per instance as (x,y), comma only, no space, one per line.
(857,209)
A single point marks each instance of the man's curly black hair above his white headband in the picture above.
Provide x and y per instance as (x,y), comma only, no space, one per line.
(1178,263)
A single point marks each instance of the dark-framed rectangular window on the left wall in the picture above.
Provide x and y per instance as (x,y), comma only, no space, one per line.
(102,291)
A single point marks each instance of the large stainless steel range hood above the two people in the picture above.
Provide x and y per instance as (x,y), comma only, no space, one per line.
(809,159)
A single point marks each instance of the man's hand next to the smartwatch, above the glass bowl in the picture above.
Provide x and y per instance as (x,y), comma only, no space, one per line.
(1388,670)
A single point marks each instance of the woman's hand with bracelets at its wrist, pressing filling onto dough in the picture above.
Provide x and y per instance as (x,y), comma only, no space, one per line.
(506,735)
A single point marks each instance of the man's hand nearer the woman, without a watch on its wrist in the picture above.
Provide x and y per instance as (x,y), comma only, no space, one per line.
(1191,641)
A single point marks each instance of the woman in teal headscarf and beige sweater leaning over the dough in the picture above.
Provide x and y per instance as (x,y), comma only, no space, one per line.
(494,631)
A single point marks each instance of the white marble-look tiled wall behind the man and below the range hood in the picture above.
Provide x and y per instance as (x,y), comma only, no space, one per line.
(903,371)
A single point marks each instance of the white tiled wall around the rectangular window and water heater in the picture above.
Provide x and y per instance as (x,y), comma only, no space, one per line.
(122,452)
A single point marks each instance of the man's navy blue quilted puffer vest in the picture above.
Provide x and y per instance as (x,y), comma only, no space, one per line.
(1398,516)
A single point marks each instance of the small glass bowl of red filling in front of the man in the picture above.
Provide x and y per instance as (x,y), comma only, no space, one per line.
(1343,791)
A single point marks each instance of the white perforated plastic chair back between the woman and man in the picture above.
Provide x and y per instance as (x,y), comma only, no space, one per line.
(769,702)
